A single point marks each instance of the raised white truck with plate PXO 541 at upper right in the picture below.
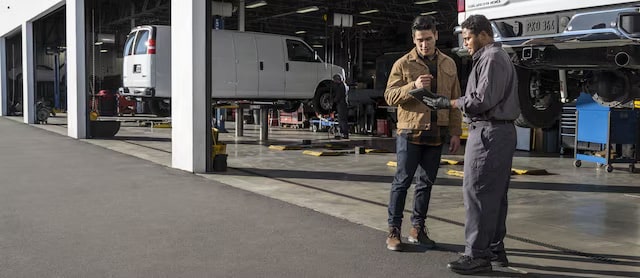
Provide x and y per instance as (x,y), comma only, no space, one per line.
(562,48)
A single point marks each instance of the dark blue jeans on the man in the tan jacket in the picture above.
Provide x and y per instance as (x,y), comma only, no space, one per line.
(409,157)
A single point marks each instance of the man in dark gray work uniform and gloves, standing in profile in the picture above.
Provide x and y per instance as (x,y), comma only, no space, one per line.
(490,105)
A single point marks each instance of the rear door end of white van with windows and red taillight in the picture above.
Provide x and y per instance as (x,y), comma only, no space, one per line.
(139,59)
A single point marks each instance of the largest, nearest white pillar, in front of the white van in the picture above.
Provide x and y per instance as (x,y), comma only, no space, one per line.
(188,97)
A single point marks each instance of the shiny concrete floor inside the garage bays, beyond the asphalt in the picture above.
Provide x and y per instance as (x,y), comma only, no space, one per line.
(574,222)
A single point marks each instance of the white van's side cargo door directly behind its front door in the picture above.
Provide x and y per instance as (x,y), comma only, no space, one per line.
(271,66)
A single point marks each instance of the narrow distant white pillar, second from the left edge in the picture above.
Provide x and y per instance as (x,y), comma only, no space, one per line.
(28,82)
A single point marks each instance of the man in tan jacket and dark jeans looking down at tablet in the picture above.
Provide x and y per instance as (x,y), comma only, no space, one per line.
(421,131)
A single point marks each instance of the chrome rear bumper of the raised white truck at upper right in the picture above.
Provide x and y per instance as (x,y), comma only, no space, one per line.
(607,38)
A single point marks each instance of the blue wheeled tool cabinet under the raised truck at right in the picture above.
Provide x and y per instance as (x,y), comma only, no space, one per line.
(605,126)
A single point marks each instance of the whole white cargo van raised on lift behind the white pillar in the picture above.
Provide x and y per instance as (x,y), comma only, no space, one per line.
(245,66)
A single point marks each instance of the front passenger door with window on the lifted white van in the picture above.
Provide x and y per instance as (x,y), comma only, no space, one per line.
(301,70)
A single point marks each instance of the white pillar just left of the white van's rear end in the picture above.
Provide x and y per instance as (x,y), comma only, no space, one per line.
(76,71)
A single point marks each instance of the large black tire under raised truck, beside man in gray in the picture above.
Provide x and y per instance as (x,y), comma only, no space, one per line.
(540,106)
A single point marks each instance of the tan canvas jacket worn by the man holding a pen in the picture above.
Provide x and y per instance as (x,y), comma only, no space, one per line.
(412,113)
